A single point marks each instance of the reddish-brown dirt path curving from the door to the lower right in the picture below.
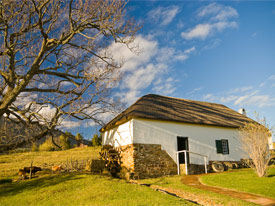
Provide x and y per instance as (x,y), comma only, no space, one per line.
(193,181)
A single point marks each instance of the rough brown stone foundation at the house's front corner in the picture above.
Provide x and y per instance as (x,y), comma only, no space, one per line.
(146,161)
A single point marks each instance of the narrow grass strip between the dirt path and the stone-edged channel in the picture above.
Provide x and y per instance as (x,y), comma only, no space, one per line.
(210,197)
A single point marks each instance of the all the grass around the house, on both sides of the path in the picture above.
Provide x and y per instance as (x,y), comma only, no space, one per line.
(88,189)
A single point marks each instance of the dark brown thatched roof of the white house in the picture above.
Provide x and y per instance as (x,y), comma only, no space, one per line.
(158,107)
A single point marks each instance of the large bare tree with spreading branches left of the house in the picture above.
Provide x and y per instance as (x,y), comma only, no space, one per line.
(55,61)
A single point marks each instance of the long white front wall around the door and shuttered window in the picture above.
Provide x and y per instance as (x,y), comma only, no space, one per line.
(201,138)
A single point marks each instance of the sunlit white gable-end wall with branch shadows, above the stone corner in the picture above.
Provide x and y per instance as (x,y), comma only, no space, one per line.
(119,136)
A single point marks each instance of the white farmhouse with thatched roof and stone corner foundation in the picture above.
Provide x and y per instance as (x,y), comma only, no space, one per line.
(151,131)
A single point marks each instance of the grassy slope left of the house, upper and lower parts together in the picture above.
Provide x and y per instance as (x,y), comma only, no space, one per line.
(76,188)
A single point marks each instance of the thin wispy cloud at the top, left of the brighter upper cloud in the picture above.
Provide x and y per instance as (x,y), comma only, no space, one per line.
(163,15)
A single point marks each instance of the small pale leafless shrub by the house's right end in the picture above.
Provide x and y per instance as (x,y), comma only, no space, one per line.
(255,139)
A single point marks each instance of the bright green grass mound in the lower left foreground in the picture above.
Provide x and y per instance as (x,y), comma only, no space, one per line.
(82,189)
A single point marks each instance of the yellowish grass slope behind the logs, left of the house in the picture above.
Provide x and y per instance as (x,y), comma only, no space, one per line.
(10,164)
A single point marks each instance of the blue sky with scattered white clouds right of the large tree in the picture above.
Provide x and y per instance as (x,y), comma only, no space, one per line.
(222,52)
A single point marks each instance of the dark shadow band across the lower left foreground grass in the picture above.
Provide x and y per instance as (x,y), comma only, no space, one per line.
(19,187)
